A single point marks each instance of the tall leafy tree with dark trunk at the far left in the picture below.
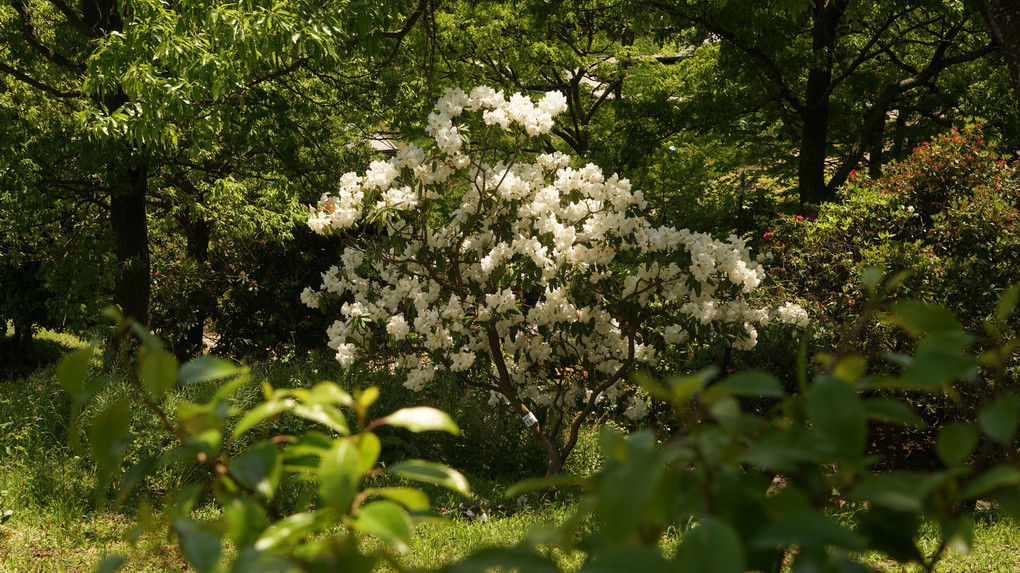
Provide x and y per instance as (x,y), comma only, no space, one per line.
(147,78)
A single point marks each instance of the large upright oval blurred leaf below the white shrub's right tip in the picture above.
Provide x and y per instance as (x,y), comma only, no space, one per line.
(838,413)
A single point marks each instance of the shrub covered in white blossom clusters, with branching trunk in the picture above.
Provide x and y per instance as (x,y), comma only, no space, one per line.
(520,273)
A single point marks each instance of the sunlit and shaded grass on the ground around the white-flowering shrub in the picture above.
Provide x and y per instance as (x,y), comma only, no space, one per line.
(59,525)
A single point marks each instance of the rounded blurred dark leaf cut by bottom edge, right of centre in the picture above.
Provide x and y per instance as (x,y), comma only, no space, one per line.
(712,547)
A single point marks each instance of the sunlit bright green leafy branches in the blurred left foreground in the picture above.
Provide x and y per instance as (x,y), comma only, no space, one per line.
(282,499)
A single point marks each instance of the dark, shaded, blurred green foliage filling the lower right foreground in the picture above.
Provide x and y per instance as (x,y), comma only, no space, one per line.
(761,492)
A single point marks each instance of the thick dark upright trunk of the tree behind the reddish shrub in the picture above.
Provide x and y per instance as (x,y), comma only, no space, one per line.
(814,133)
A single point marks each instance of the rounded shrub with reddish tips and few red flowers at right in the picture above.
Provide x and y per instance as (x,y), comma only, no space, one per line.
(947,218)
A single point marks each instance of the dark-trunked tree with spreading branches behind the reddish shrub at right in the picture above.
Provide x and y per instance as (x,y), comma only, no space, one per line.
(846,66)
